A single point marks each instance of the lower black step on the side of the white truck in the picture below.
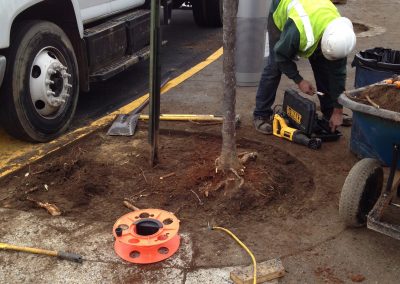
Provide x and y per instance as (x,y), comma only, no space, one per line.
(119,65)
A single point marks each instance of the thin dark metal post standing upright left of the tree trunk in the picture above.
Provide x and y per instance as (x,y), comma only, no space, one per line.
(155,80)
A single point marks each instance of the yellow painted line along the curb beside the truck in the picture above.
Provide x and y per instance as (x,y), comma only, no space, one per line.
(16,154)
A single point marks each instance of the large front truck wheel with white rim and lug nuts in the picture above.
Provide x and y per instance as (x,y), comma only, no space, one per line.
(40,94)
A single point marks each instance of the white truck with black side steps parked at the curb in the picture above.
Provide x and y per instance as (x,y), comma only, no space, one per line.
(51,50)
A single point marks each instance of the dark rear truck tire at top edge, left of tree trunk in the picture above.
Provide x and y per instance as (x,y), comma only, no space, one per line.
(207,13)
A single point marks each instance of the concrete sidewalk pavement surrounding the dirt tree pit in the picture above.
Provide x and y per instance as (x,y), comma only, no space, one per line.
(315,248)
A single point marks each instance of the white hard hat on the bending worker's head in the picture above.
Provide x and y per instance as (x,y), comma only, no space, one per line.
(338,39)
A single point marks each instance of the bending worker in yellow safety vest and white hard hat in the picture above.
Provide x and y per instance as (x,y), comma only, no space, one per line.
(315,30)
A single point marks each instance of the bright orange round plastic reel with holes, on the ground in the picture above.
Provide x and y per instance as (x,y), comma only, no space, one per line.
(146,236)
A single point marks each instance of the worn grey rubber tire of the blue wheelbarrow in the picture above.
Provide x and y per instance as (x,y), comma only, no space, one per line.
(360,192)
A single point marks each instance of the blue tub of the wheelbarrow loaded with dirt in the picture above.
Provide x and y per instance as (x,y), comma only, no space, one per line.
(374,131)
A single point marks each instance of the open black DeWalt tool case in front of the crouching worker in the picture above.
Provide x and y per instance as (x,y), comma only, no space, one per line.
(302,115)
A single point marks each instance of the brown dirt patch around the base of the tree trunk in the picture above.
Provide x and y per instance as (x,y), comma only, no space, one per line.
(91,180)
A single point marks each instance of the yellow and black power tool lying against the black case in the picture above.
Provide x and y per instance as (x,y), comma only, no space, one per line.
(281,129)
